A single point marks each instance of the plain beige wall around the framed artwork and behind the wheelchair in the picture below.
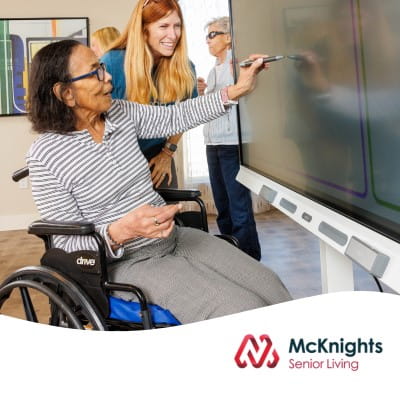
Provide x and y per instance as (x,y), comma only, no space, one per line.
(17,209)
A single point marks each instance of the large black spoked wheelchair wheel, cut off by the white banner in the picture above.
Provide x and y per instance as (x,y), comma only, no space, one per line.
(68,306)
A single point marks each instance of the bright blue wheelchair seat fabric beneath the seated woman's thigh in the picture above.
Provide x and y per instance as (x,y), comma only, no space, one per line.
(130,311)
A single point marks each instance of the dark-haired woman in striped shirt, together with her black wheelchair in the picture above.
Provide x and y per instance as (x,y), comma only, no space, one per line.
(87,166)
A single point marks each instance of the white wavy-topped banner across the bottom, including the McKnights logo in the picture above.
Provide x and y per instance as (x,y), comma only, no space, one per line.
(333,346)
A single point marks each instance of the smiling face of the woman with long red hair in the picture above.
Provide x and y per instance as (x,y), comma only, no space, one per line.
(163,35)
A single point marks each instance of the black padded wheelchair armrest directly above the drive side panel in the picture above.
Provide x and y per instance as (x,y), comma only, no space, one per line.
(43,227)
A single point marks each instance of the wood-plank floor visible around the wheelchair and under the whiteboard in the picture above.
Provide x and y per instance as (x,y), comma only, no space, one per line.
(287,248)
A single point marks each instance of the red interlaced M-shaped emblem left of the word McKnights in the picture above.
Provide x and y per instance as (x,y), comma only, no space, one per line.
(252,350)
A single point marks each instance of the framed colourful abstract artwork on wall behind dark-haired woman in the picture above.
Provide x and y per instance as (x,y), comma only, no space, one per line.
(20,39)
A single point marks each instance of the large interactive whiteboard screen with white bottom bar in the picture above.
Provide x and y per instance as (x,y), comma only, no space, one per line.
(320,135)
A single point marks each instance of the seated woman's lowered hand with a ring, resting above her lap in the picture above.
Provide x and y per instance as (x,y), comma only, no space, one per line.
(145,221)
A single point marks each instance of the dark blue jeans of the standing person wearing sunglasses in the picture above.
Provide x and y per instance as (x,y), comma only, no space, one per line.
(232,199)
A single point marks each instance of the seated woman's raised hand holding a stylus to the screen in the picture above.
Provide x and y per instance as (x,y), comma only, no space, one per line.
(247,77)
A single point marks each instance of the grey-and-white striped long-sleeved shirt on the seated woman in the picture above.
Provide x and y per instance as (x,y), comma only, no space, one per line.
(75,179)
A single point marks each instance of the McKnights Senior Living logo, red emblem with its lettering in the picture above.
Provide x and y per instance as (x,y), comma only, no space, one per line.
(326,354)
